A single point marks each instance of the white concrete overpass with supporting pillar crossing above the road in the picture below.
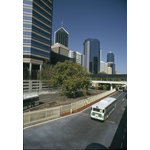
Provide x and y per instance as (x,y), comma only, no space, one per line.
(94,82)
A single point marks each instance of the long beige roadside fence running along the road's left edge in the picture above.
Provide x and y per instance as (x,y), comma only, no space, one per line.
(50,113)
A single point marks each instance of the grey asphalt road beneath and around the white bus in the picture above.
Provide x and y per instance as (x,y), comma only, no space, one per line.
(79,131)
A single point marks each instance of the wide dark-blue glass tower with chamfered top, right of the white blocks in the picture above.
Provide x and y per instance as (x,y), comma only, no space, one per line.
(91,55)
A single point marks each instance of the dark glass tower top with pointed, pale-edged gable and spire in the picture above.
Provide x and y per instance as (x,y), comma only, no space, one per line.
(61,36)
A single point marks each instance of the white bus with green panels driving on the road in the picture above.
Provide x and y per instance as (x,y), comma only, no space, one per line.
(103,109)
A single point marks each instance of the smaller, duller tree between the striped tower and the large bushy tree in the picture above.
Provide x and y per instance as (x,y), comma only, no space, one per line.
(46,74)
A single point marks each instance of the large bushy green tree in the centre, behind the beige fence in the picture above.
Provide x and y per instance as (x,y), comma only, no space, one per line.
(71,76)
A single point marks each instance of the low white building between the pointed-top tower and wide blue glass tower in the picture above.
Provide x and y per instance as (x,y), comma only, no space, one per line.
(76,55)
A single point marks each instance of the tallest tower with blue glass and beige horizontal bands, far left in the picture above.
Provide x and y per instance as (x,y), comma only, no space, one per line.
(37,32)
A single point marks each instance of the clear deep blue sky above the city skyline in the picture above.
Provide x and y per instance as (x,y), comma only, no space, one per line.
(105,20)
